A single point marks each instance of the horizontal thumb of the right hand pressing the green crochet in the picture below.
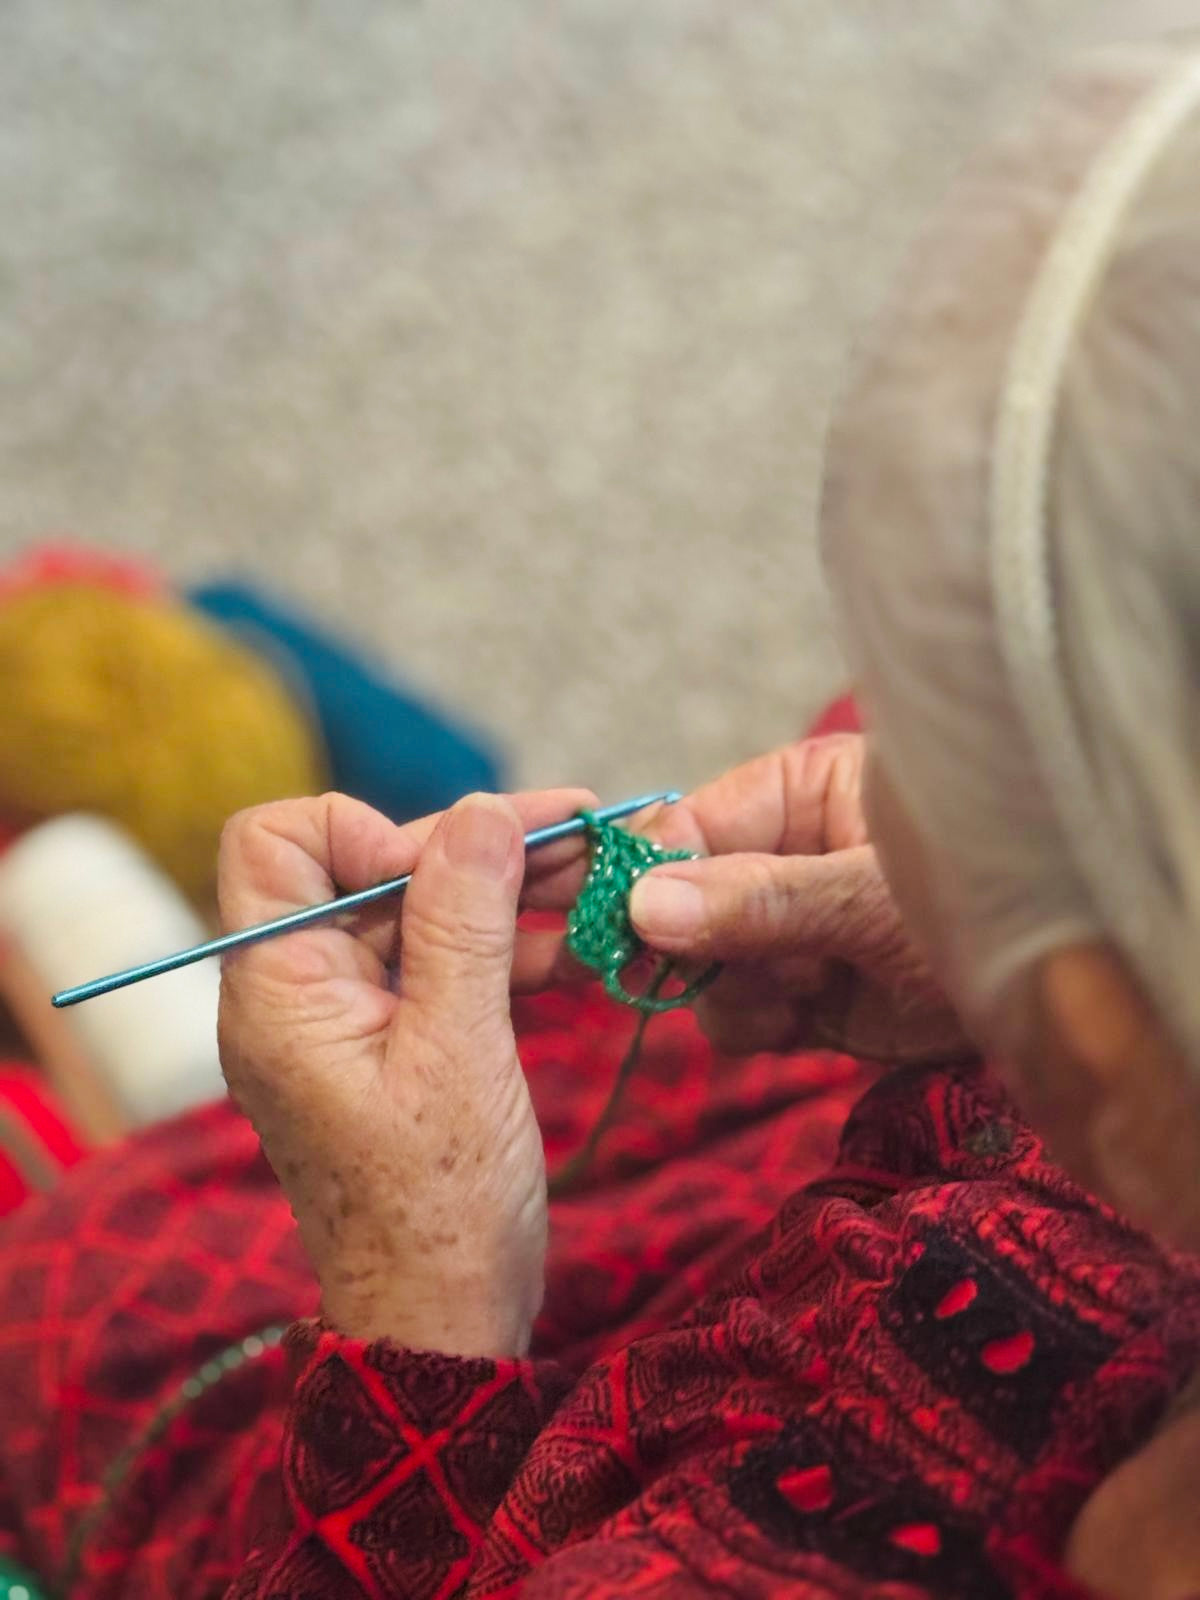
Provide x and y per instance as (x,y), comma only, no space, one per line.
(750,908)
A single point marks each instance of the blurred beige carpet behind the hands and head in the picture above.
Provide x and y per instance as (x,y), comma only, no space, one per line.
(502,334)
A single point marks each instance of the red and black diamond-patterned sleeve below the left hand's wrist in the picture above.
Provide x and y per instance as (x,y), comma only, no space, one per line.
(394,1463)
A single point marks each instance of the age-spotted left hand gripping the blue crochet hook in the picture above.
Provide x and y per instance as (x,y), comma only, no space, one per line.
(390,1103)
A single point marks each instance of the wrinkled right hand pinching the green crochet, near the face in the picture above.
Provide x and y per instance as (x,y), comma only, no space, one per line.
(794,903)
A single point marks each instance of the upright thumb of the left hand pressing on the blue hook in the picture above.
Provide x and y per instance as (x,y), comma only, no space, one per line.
(458,922)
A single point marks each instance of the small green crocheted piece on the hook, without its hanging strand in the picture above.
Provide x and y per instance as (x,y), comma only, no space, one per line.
(599,930)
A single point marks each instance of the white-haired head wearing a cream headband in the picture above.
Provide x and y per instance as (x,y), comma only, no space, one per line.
(1012,529)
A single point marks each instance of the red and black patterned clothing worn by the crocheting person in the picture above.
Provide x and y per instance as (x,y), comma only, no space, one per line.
(895,1380)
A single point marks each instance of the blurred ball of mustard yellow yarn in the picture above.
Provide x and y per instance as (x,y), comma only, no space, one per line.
(142,711)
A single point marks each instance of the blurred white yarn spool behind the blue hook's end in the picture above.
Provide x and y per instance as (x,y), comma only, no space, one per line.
(79,898)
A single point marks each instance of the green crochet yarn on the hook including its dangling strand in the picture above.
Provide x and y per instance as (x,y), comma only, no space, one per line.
(601,935)
